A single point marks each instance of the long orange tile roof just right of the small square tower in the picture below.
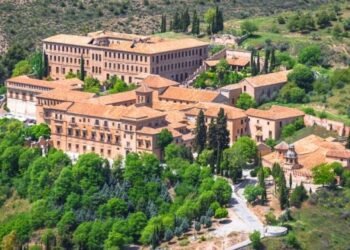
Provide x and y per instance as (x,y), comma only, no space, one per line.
(189,95)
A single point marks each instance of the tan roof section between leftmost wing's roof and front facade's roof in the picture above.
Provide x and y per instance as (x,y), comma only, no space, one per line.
(68,95)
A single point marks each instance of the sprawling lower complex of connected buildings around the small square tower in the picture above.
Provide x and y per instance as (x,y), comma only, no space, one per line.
(117,124)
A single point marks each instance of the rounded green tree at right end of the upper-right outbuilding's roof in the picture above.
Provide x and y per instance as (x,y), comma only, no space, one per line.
(302,76)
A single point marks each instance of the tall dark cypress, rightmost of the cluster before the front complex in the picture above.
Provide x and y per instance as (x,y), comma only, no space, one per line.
(223,135)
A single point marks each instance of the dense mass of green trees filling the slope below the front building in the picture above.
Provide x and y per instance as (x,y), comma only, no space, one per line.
(93,204)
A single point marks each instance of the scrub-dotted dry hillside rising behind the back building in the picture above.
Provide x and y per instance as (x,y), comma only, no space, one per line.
(27,22)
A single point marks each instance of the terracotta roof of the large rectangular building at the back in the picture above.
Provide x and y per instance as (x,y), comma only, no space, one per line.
(152,46)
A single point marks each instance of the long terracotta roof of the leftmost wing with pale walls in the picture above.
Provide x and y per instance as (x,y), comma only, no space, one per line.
(69,83)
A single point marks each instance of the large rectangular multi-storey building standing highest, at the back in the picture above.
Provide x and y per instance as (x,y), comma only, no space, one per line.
(130,57)
